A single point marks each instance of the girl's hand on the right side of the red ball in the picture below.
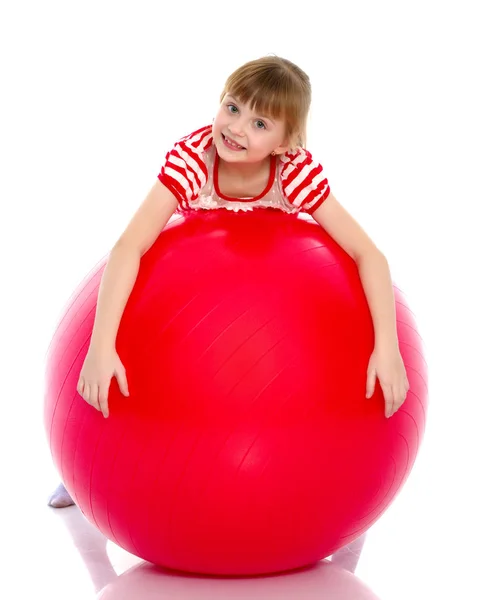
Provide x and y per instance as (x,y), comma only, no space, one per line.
(387,365)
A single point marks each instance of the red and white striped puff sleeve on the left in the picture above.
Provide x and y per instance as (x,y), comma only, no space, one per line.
(184,172)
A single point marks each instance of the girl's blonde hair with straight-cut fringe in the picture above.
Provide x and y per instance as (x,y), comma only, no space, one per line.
(277,88)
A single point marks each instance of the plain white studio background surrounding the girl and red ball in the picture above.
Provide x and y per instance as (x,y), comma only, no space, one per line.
(93,94)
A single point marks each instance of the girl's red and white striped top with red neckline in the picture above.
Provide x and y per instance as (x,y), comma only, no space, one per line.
(296,183)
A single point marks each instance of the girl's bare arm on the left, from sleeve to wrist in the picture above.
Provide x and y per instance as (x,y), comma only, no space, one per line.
(123,263)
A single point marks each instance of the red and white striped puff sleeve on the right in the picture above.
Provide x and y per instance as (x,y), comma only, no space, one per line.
(303,182)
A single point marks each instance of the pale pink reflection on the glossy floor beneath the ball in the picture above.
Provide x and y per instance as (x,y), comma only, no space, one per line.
(120,576)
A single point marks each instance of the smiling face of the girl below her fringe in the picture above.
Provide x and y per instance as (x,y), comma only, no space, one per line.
(257,135)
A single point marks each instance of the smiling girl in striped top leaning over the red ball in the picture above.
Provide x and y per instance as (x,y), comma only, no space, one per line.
(252,156)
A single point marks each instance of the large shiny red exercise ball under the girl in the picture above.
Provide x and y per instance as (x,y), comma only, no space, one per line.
(247,444)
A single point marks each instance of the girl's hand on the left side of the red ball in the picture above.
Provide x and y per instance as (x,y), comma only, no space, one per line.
(95,377)
